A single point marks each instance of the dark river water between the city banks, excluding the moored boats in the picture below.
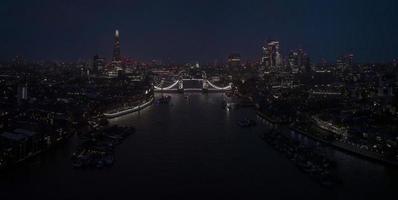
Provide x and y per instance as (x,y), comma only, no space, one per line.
(193,149)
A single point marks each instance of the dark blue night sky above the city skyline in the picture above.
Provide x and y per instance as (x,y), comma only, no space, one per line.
(198,30)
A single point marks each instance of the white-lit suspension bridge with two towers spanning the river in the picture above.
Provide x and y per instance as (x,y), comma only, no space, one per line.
(190,84)
